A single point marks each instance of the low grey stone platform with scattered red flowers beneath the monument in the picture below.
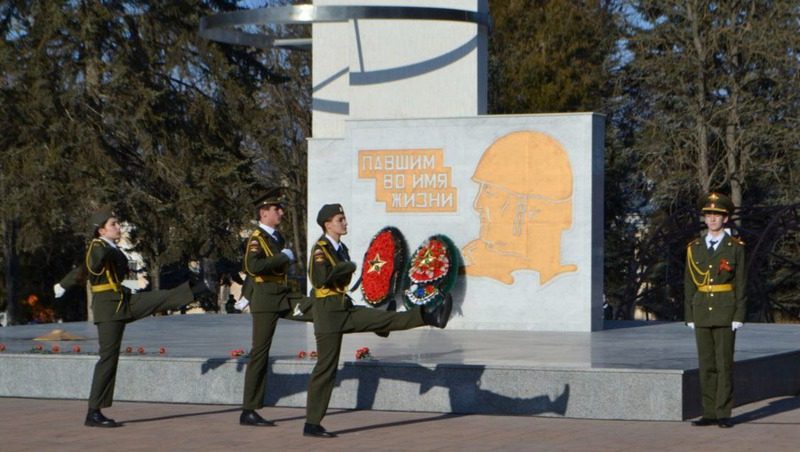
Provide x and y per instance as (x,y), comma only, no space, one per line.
(631,370)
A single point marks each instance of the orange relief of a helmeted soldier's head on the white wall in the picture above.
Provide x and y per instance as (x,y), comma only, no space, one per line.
(525,203)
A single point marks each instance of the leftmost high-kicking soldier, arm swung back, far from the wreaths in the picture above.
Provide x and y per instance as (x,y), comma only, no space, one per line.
(113,306)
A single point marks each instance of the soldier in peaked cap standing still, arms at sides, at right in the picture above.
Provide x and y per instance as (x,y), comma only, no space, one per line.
(715,307)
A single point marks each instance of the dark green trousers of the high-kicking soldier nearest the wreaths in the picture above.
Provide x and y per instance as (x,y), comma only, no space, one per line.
(329,346)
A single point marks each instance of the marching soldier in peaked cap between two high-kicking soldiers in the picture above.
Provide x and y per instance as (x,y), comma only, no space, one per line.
(266,262)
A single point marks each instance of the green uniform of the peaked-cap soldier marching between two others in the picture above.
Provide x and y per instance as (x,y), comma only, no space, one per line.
(270,298)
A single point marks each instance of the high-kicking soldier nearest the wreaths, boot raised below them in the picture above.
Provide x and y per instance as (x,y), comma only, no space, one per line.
(330,271)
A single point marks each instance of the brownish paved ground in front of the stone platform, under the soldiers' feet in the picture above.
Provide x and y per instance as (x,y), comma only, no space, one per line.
(57,425)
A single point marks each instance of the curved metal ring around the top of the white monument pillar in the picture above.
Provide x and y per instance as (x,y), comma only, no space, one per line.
(222,27)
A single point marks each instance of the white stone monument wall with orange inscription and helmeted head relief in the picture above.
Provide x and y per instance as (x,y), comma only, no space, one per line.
(520,196)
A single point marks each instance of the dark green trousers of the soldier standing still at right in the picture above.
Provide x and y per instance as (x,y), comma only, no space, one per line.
(715,355)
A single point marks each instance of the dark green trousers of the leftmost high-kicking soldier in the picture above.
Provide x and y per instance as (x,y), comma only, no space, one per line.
(109,334)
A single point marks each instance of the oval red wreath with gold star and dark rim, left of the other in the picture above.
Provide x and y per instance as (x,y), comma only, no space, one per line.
(383,260)
